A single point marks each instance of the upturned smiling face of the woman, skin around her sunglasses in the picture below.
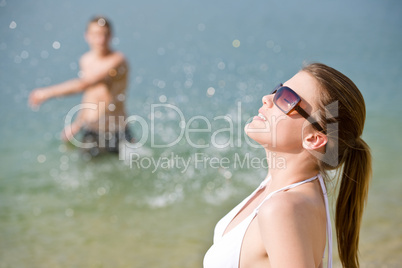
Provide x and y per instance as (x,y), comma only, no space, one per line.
(279,132)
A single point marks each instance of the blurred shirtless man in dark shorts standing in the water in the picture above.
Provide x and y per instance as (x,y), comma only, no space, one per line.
(103,81)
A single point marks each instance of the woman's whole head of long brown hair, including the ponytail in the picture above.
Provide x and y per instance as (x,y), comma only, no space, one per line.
(346,152)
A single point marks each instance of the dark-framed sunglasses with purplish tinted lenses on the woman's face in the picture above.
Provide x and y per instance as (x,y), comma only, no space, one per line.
(287,101)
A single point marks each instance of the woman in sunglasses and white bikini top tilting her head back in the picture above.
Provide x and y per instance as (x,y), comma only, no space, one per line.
(315,122)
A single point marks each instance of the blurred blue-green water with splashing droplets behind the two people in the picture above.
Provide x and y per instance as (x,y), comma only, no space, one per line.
(58,209)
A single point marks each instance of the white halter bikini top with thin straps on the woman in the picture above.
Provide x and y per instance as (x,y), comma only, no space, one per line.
(225,251)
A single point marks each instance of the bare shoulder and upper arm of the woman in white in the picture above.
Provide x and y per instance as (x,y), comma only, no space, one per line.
(292,223)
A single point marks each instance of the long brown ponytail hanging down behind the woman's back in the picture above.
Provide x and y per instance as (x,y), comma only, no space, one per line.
(351,200)
